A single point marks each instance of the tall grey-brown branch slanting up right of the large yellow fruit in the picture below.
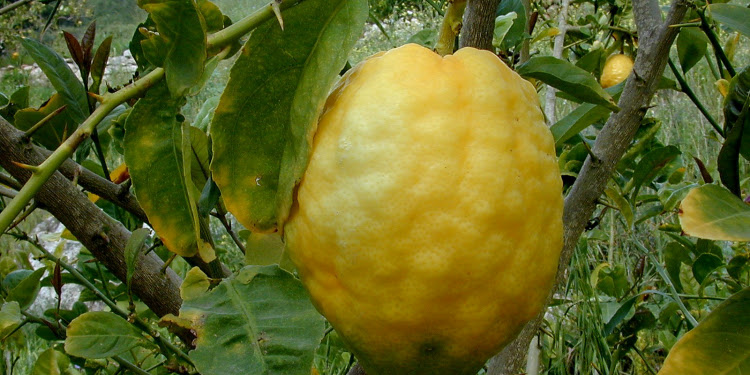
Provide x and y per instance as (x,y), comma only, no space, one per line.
(614,139)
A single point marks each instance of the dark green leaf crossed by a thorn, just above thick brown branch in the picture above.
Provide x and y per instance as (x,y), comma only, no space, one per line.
(56,130)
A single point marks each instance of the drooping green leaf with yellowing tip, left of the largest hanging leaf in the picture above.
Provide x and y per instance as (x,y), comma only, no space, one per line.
(153,153)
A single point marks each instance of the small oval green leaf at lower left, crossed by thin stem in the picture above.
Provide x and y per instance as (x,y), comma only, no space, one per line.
(101,334)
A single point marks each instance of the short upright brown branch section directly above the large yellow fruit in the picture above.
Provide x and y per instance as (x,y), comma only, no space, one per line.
(479,24)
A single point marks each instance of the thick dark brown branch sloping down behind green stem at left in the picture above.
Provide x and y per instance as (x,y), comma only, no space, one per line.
(99,233)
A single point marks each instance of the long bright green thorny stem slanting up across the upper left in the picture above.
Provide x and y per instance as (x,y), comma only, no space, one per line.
(110,101)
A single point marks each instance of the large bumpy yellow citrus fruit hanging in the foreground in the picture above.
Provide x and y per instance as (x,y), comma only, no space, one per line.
(428,225)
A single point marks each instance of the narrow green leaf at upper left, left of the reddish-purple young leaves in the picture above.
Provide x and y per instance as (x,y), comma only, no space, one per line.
(61,77)
